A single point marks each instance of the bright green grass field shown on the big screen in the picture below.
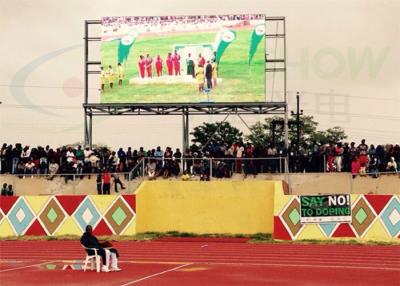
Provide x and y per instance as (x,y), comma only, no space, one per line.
(241,82)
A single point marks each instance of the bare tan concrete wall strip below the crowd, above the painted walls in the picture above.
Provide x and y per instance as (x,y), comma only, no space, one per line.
(313,183)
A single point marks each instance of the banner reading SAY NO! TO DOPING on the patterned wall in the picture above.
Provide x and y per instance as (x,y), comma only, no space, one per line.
(325,208)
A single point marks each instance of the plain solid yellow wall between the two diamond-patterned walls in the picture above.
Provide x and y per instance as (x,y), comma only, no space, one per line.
(235,207)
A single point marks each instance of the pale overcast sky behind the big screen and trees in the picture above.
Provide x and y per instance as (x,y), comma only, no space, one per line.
(343,56)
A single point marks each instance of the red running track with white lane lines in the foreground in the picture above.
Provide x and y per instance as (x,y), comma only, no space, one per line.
(203,263)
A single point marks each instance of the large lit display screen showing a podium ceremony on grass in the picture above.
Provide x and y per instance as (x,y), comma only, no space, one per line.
(183,59)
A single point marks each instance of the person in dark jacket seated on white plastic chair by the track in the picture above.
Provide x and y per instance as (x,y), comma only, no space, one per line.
(88,240)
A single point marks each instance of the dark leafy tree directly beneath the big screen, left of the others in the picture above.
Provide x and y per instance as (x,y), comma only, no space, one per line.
(216,132)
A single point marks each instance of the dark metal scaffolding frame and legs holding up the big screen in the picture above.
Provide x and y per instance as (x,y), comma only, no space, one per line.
(273,65)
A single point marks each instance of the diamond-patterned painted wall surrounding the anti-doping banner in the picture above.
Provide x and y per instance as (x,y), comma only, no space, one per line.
(374,217)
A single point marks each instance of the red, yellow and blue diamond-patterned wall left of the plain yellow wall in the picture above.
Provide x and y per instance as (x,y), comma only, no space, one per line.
(67,215)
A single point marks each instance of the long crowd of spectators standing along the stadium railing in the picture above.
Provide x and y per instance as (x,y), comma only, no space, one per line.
(222,159)
